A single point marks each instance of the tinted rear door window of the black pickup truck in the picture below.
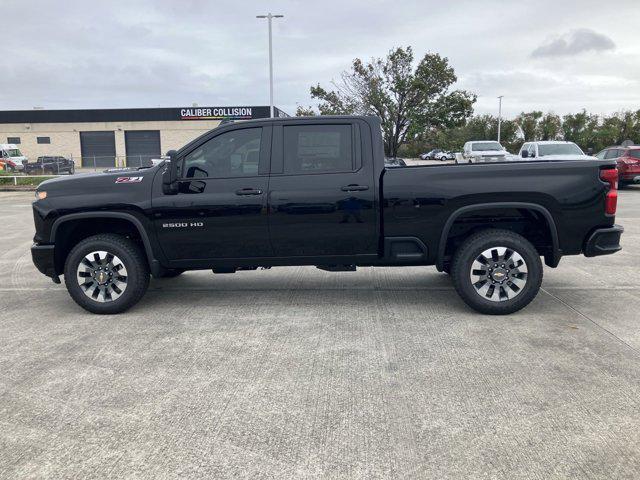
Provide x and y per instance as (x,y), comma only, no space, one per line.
(318,149)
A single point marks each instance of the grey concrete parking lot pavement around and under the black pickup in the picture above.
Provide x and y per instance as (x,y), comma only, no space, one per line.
(300,373)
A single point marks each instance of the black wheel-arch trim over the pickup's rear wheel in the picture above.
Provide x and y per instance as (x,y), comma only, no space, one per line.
(556,254)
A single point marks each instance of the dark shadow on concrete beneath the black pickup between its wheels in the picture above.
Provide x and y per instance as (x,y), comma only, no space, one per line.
(290,293)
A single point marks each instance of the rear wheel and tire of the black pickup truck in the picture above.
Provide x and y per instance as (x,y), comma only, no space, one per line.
(521,282)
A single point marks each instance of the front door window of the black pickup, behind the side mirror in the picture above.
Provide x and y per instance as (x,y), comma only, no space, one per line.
(231,154)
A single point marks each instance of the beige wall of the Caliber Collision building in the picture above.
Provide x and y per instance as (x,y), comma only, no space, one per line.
(65,137)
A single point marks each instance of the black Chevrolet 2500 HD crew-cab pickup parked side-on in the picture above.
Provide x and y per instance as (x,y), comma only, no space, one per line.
(315,191)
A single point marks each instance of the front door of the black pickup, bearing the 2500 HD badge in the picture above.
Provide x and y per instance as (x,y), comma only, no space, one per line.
(220,210)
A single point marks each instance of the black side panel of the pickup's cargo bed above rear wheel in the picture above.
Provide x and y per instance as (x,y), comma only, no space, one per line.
(420,201)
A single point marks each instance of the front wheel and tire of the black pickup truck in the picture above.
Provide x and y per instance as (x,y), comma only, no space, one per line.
(126,257)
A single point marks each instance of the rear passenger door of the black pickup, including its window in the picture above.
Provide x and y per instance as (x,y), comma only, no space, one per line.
(322,190)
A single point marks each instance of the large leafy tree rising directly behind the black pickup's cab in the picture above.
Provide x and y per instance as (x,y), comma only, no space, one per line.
(408,100)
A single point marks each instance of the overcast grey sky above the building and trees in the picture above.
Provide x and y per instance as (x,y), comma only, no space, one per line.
(559,56)
